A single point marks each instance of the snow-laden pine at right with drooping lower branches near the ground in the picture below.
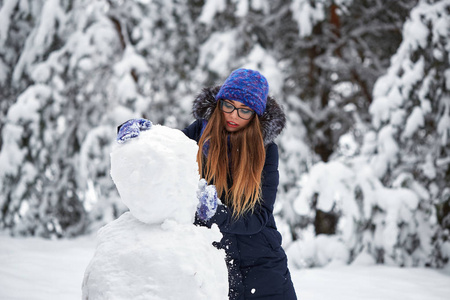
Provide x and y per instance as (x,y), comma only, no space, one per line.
(390,196)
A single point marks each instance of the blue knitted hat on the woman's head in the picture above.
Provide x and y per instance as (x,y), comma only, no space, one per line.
(248,87)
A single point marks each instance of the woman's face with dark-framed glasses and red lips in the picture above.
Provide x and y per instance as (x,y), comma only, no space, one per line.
(233,120)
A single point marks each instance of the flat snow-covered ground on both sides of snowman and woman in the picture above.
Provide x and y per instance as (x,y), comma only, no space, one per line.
(34,269)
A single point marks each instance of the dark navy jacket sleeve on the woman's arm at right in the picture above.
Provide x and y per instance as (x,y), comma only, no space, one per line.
(253,222)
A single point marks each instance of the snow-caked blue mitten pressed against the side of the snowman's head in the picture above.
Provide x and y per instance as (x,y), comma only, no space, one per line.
(207,196)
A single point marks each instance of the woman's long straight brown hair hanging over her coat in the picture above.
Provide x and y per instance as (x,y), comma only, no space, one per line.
(245,149)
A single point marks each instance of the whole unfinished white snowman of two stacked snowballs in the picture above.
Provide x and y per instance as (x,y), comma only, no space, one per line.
(154,251)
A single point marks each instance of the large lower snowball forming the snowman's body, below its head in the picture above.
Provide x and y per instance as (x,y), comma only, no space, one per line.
(134,260)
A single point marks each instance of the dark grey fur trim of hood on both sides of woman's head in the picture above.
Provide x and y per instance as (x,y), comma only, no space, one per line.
(272,121)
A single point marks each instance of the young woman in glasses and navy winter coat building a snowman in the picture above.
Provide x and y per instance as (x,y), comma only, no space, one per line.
(235,128)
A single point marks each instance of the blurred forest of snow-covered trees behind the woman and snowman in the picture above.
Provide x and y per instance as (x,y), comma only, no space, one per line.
(364,160)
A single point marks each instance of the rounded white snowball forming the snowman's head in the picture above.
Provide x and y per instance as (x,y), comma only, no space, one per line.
(157,176)
